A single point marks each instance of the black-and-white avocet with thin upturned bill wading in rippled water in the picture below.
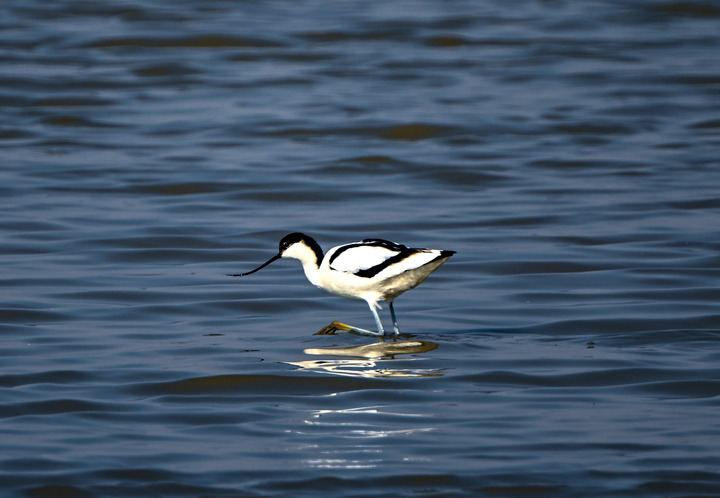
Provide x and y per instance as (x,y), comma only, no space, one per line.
(372,270)
